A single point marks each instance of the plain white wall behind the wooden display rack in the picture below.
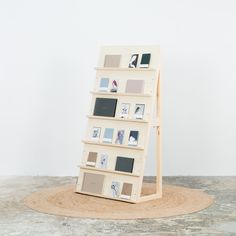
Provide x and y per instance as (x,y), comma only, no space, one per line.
(48,49)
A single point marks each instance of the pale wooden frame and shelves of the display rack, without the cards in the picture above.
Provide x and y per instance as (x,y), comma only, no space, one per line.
(151,118)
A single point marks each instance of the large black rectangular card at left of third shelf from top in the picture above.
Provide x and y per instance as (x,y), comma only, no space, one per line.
(105,107)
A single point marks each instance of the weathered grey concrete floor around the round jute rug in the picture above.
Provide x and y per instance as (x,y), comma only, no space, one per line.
(17,219)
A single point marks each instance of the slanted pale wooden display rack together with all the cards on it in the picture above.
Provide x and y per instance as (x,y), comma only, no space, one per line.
(125,106)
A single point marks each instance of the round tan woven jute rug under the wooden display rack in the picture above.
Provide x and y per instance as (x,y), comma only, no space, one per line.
(65,202)
